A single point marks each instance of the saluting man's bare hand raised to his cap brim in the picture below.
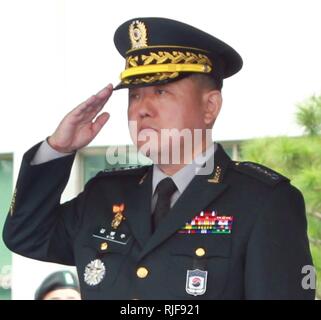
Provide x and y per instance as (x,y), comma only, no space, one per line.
(78,128)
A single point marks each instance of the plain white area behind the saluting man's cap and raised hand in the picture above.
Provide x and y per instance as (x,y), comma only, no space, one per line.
(55,54)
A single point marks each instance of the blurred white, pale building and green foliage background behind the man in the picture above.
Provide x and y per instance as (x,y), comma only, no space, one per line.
(56,53)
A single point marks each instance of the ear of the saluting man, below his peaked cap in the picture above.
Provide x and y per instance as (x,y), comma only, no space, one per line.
(212,106)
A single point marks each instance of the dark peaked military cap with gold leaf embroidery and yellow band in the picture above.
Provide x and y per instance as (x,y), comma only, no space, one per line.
(159,50)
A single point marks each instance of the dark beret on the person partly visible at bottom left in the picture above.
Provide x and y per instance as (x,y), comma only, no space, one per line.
(57,280)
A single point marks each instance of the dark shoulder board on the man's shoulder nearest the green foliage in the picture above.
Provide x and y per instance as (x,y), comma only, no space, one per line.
(260,172)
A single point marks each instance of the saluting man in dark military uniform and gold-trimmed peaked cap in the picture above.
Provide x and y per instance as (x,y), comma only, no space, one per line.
(173,230)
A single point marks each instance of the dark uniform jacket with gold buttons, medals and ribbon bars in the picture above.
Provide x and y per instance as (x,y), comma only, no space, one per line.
(259,256)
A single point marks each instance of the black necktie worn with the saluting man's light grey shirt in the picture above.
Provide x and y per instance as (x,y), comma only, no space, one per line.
(165,189)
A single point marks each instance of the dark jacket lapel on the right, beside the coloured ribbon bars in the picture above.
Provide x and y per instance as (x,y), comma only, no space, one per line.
(203,190)
